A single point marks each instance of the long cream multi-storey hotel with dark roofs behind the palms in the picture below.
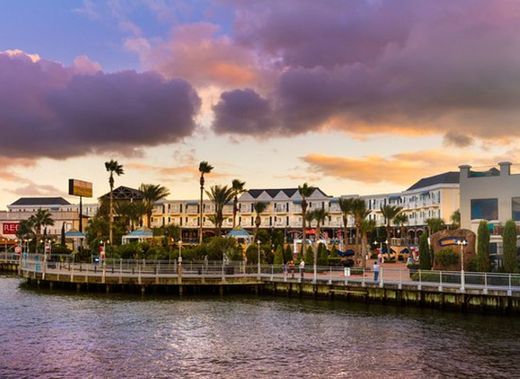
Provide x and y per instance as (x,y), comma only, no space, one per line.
(432,197)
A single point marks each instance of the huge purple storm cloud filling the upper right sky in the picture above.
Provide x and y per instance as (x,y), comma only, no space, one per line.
(410,67)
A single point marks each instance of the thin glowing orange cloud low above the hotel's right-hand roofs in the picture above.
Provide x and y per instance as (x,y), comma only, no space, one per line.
(403,169)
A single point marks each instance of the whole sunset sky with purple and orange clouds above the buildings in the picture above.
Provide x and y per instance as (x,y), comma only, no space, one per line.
(352,96)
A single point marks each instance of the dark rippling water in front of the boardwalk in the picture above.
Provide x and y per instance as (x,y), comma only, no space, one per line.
(57,334)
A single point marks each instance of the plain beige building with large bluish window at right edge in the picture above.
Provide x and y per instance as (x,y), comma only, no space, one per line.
(492,195)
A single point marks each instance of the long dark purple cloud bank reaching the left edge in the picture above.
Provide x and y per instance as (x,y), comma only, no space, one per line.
(47,109)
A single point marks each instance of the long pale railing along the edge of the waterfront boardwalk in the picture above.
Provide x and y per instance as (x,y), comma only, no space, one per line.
(388,277)
